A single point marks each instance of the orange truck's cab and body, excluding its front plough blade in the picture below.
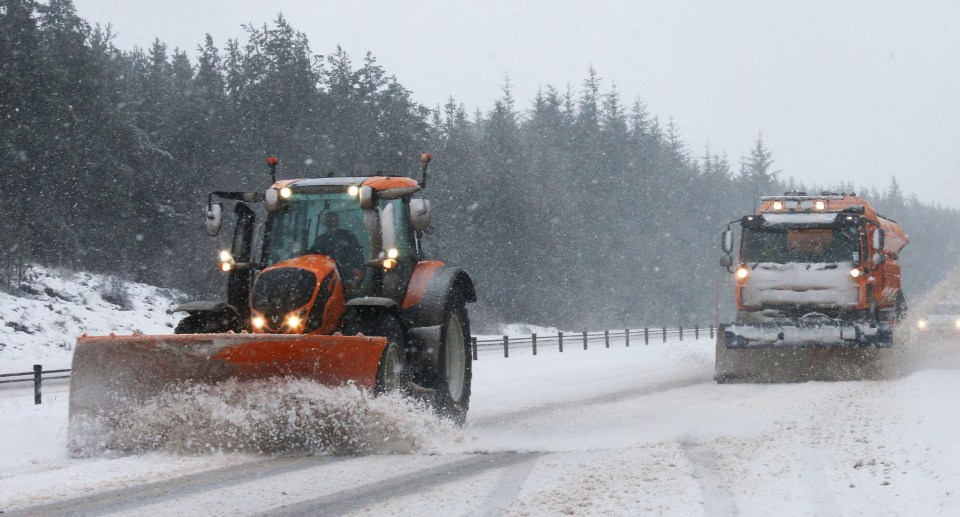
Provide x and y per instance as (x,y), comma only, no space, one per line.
(829,258)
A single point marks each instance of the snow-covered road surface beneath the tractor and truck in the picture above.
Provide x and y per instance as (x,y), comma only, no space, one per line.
(627,431)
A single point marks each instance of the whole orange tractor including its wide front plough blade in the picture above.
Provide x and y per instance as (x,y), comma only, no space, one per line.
(326,280)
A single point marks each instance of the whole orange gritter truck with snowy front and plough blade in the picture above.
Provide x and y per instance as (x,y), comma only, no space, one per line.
(817,289)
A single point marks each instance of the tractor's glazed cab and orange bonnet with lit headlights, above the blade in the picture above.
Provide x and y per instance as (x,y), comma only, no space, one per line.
(355,238)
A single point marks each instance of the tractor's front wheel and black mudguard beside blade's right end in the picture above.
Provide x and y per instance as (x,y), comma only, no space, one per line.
(376,323)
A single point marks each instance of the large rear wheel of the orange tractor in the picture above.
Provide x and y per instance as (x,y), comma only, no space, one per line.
(453,380)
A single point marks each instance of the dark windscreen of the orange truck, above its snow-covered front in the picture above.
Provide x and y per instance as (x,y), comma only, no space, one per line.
(808,245)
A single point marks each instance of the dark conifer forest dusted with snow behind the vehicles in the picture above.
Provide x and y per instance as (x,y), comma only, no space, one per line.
(580,206)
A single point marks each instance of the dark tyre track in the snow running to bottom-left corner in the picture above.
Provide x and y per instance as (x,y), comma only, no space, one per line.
(201,482)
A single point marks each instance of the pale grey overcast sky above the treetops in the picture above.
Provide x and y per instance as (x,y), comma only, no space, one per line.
(858,91)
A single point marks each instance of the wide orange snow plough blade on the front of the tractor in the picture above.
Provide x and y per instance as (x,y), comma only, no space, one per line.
(112,372)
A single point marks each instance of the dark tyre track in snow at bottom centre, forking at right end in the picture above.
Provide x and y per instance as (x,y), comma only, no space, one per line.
(358,498)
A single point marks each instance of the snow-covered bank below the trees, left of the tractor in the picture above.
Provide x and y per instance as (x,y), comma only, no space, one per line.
(41,318)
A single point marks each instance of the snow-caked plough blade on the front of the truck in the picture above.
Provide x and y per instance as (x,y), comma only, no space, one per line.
(800,352)
